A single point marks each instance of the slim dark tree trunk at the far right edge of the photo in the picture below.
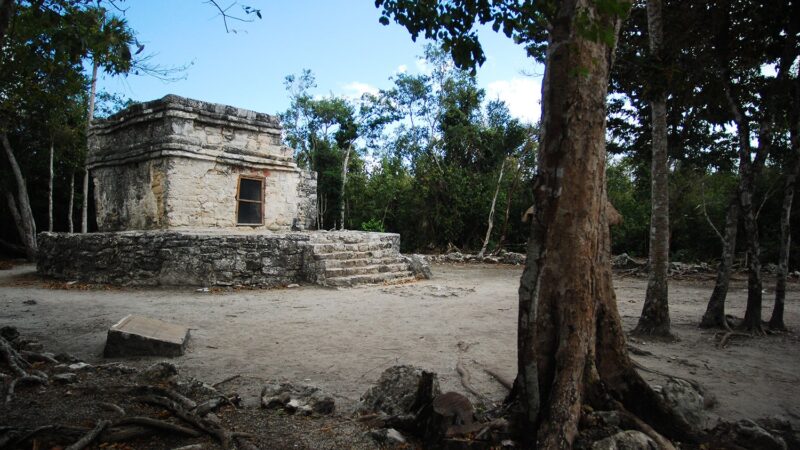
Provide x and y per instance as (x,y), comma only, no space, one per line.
(776,321)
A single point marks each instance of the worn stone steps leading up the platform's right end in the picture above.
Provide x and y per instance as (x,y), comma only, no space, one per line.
(346,259)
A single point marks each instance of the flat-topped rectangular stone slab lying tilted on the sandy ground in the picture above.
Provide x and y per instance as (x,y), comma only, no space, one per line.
(144,336)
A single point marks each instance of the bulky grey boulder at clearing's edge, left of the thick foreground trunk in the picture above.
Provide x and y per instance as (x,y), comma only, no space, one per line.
(400,390)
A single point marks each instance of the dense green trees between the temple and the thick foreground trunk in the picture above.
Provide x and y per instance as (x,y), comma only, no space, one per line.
(426,157)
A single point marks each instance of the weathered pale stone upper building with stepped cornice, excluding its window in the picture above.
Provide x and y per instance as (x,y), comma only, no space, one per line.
(175,163)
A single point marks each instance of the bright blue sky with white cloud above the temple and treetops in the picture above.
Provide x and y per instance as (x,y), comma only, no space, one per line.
(341,41)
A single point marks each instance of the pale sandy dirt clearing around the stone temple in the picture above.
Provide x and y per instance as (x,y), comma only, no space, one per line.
(341,339)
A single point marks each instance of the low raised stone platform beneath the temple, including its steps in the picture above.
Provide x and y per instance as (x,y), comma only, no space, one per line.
(223,258)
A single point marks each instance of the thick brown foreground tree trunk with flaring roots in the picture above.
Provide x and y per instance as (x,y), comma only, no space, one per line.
(571,343)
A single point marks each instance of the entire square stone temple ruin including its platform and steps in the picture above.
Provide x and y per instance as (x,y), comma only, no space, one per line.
(194,193)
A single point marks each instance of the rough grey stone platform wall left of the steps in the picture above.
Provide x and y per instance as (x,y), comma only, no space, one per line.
(172,258)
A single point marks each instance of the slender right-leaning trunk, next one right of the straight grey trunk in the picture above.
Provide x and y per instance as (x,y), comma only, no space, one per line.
(714,316)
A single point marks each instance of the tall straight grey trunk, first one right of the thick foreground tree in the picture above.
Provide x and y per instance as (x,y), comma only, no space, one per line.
(655,313)
